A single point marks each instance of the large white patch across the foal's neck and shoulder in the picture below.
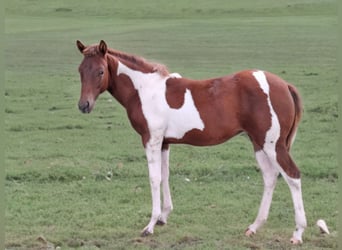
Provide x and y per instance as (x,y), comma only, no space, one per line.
(161,119)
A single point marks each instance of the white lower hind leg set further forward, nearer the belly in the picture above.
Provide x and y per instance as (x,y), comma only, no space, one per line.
(269,174)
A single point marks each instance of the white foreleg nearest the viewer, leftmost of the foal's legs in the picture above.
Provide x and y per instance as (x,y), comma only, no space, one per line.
(153,154)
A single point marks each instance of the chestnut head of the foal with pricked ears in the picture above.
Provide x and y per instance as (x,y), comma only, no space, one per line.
(94,74)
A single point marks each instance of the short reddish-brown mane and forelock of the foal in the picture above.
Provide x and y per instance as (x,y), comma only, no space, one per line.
(136,60)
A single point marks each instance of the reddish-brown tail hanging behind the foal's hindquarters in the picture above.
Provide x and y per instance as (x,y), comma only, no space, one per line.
(298,115)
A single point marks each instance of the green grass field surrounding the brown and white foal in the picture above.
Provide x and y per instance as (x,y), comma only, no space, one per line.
(57,159)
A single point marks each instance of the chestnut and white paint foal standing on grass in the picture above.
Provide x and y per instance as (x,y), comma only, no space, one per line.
(166,108)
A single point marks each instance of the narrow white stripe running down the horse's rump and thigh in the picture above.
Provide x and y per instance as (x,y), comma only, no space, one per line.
(272,135)
